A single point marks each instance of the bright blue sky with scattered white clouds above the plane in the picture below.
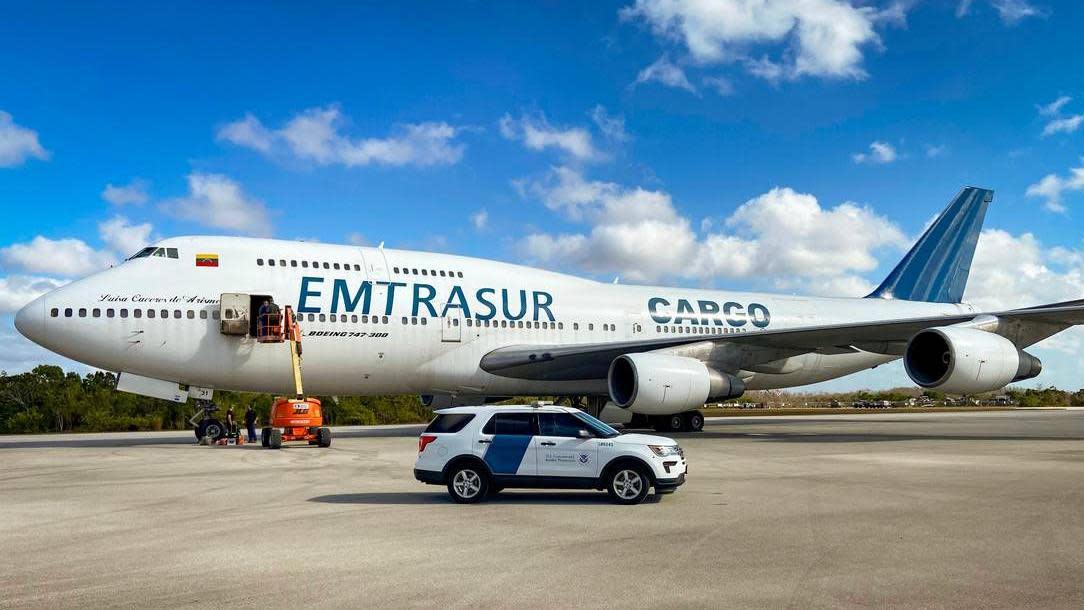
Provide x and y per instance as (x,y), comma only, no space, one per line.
(793,147)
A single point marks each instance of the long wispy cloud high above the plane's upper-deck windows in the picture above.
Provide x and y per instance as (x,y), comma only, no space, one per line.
(316,136)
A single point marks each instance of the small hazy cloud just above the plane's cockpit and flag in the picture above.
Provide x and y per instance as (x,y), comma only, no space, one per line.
(216,201)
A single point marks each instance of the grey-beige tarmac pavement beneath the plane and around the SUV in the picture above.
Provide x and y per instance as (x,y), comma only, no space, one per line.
(939,511)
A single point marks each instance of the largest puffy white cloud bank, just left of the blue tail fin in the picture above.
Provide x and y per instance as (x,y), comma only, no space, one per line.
(640,236)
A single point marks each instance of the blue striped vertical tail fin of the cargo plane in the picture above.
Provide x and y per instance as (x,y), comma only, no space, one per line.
(937,268)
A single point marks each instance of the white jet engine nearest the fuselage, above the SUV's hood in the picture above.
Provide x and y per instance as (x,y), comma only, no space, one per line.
(655,384)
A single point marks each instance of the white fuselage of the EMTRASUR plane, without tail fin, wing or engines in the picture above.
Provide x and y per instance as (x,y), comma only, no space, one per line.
(380,321)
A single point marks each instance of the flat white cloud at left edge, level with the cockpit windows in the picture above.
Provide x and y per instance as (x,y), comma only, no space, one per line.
(70,258)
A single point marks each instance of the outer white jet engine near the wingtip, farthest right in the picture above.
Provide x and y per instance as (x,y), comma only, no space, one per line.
(966,361)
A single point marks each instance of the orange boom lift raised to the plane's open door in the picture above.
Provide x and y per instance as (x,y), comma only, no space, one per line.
(299,419)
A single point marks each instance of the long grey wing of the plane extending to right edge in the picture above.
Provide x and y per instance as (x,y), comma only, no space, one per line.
(591,361)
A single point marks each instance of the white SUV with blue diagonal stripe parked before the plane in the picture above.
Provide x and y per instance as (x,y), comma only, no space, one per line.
(478,451)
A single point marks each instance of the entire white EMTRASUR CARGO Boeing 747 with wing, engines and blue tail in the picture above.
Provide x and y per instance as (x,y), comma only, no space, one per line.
(178,320)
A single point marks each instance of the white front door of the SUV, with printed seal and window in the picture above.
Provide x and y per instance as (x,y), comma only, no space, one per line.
(560,449)
